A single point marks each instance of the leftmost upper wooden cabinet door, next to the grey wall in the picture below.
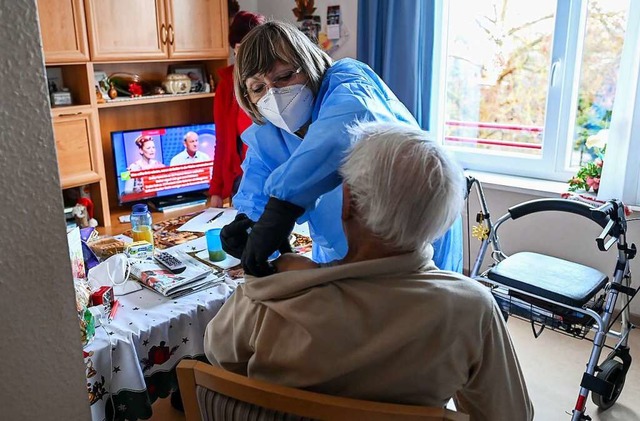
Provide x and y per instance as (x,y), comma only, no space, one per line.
(64,32)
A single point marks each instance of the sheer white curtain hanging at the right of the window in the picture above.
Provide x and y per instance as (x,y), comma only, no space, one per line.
(621,170)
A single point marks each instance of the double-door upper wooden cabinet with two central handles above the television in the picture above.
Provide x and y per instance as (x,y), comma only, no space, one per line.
(122,30)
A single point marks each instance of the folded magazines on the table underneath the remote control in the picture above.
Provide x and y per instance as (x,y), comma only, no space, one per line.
(156,277)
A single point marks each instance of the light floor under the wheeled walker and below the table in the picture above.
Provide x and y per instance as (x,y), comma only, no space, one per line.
(553,365)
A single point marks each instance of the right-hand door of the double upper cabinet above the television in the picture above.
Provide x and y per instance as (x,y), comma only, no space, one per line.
(197,29)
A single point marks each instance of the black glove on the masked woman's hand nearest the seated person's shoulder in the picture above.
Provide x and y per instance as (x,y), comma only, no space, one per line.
(269,234)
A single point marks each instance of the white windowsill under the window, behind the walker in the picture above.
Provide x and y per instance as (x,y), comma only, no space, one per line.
(522,185)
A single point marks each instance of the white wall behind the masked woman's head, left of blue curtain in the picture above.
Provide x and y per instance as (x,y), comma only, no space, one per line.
(282,10)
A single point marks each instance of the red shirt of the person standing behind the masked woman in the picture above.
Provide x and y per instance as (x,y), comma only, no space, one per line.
(230,122)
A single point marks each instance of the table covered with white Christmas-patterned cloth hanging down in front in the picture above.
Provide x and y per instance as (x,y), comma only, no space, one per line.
(131,361)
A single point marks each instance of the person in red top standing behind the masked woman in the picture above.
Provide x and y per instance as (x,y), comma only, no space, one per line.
(230,120)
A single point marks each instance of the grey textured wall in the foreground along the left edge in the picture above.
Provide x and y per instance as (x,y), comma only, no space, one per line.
(42,375)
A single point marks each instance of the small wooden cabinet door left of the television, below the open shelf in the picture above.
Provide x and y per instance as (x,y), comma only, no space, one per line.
(79,150)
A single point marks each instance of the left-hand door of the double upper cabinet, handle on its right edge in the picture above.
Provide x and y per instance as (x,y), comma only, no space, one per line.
(126,30)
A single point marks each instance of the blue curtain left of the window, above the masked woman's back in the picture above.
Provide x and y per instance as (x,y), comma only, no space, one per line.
(395,38)
